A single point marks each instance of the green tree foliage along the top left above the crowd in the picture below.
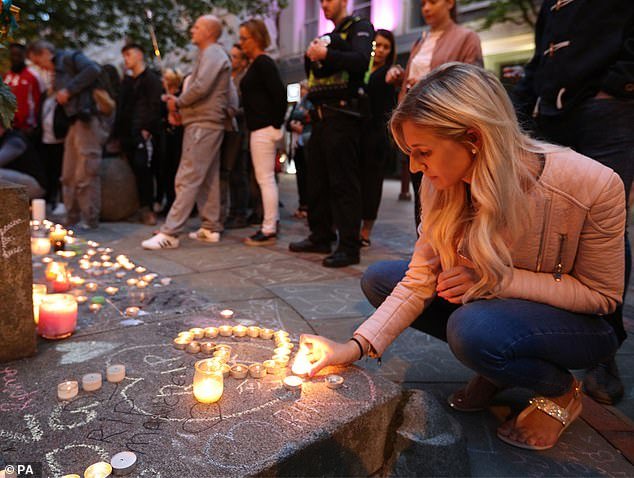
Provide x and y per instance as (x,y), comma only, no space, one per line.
(78,23)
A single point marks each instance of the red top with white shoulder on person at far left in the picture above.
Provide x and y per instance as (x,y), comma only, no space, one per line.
(26,88)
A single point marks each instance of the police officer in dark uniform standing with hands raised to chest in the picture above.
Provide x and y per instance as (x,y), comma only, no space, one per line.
(337,66)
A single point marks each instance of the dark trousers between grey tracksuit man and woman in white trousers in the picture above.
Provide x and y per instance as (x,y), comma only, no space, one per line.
(233,176)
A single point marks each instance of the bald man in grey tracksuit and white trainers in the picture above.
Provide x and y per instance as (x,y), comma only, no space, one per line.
(203,109)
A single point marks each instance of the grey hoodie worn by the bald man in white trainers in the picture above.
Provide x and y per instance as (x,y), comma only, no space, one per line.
(206,98)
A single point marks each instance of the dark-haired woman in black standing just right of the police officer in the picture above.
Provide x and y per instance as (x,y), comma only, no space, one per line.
(376,142)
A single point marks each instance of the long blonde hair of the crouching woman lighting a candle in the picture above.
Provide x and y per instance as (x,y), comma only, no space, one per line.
(453,101)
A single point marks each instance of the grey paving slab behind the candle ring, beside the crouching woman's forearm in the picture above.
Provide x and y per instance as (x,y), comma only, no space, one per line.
(336,298)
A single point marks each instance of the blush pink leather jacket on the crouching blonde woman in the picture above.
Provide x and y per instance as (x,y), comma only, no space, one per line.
(571,257)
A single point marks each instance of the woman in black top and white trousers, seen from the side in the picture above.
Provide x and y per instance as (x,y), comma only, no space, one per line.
(264,103)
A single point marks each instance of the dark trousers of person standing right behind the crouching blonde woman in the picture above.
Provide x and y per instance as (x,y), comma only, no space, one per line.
(602,129)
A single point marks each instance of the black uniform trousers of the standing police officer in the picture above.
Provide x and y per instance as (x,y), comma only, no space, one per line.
(334,188)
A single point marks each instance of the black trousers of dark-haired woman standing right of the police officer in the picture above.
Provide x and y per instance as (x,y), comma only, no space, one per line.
(374,147)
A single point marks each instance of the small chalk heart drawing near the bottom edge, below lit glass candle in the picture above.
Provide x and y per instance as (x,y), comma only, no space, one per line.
(223,450)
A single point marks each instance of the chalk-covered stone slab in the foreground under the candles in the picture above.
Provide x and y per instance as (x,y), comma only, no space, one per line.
(257,427)
